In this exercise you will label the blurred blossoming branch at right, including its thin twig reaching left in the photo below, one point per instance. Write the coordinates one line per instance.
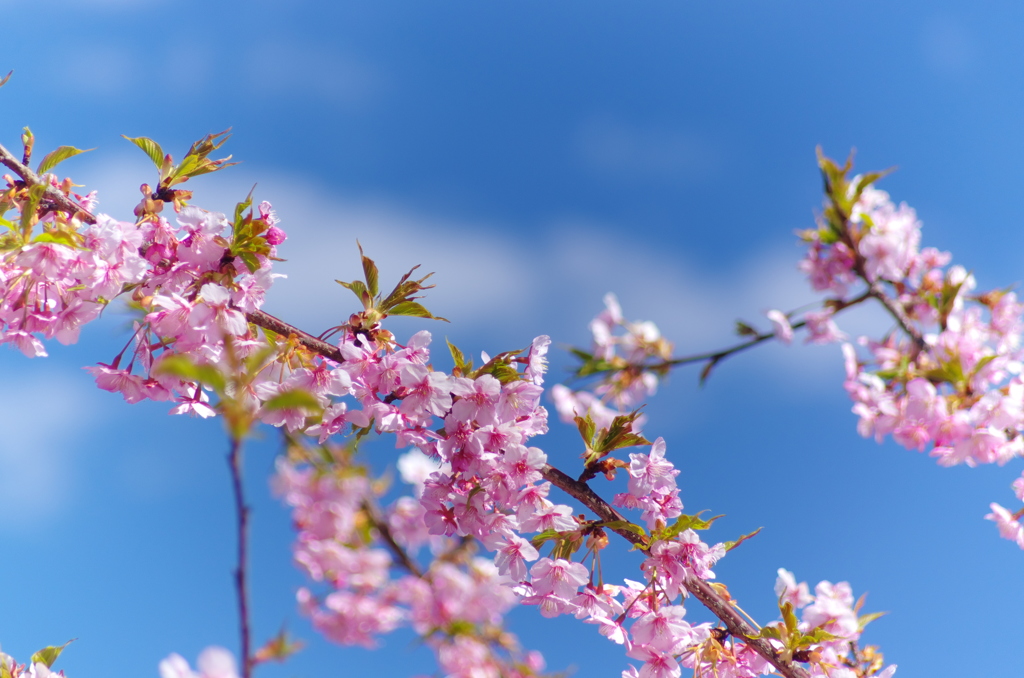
(948, 379)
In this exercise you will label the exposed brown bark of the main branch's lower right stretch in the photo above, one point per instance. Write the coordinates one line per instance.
(701, 590)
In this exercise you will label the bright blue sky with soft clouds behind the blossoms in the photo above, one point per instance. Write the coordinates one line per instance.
(536, 155)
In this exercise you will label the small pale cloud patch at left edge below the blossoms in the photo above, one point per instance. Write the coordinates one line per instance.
(42, 420)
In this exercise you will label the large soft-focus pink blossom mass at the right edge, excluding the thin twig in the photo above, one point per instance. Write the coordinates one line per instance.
(950, 379)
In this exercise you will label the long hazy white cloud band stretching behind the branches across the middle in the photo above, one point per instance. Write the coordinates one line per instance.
(496, 284)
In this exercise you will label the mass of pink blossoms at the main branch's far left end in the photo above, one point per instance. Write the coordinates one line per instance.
(192, 282)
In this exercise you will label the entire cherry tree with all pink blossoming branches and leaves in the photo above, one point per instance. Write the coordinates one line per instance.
(481, 528)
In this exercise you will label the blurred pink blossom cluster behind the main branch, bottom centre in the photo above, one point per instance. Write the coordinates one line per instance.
(457, 605)
